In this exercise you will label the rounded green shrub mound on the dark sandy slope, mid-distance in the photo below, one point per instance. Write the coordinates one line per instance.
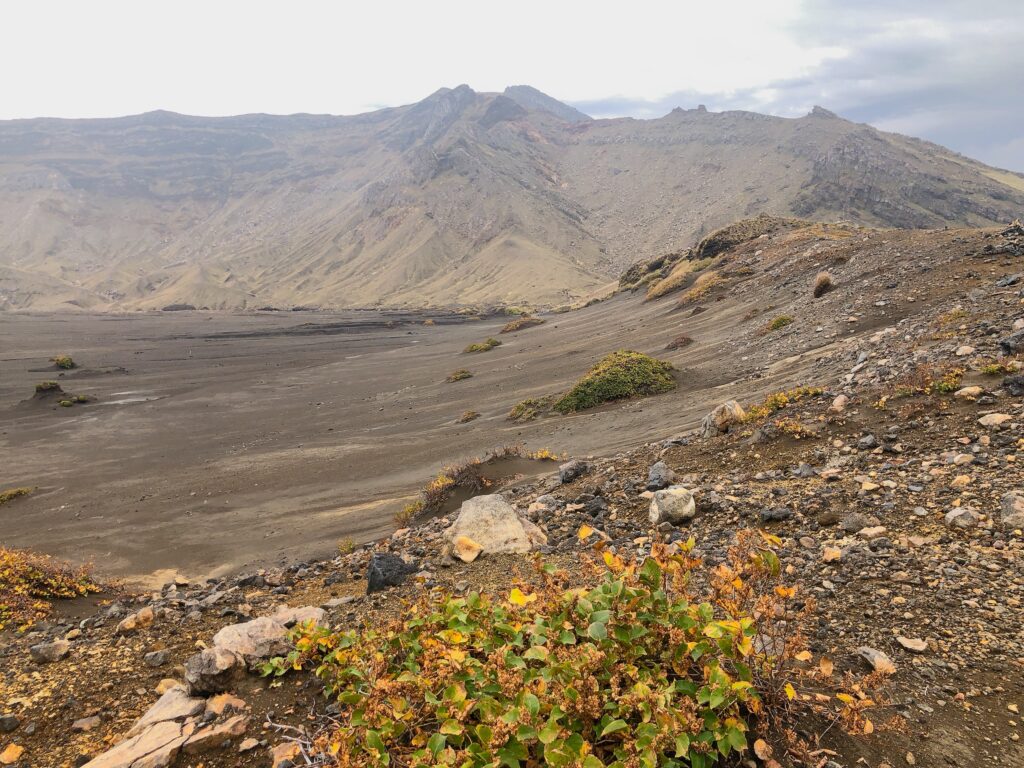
(618, 376)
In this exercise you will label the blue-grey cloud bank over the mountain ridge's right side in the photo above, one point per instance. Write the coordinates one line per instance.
(951, 72)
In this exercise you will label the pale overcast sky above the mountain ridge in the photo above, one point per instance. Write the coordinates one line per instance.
(951, 71)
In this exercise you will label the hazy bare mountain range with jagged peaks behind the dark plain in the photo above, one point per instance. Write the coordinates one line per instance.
(463, 198)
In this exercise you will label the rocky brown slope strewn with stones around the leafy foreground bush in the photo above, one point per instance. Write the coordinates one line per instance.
(891, 476)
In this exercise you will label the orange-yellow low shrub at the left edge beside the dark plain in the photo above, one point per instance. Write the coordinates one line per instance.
(30, 581)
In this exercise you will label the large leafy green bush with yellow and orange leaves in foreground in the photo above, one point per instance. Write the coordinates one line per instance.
(638, 667)
